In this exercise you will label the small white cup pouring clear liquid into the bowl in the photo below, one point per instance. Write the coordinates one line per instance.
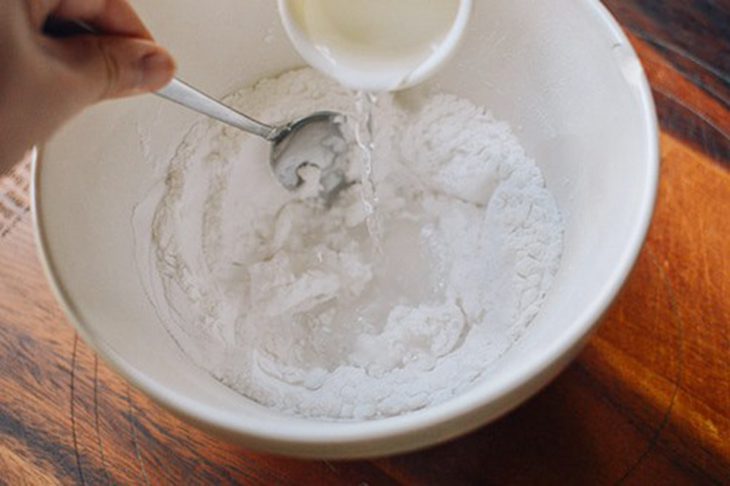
(375, 45)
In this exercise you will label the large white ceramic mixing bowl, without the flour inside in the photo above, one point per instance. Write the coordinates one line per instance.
(561, 72)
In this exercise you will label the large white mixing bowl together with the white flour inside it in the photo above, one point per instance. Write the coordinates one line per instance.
(169, 244)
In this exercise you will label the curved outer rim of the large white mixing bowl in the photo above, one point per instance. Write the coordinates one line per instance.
(412, 430)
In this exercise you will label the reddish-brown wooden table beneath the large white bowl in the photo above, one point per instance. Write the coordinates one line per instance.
(647, 402)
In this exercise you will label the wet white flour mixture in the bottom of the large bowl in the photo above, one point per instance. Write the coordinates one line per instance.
(289, 304)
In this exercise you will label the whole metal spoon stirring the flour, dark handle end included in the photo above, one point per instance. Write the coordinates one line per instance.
(315, 140)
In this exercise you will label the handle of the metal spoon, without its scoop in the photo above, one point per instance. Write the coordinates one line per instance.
(177, 91)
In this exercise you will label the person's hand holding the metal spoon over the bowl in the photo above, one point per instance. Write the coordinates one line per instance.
(46, 81)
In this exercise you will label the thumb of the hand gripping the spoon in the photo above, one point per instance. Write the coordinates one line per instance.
(103, 67)
